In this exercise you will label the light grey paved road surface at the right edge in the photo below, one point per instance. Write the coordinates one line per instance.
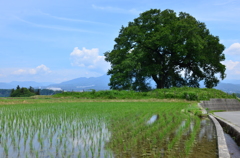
(232, 117)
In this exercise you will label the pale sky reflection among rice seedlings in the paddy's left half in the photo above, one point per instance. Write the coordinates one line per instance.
(69, 138)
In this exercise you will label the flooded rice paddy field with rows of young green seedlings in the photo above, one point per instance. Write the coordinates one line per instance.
(46, 129)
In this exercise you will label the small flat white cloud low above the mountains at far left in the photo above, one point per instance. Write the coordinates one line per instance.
(41, 69)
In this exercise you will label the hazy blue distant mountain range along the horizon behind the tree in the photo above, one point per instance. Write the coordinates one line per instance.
(101, 83)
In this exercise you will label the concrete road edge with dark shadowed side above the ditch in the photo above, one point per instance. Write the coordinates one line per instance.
(233, 130)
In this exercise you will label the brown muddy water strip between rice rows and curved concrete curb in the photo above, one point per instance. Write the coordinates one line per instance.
(206, 143)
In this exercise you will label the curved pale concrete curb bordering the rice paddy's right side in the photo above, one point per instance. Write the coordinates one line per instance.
(222, 145)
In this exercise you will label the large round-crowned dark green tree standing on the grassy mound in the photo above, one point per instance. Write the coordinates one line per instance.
(172, 50)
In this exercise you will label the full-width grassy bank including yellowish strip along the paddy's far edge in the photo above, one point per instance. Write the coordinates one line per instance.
(171, 94)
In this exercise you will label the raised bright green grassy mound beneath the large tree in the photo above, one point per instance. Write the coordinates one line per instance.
(188, 93)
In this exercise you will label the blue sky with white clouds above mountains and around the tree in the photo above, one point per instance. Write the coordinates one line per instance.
(58, 40)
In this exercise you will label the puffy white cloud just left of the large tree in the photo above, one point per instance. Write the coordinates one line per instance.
(89, 58)
